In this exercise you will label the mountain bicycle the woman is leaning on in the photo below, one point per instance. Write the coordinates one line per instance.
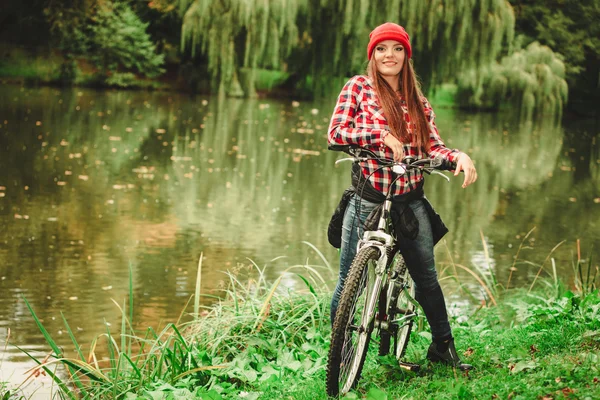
(378, 292)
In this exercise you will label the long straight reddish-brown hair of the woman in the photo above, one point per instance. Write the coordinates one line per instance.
(390, 101)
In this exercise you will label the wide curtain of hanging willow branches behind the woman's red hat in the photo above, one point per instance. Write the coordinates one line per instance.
(325, 39)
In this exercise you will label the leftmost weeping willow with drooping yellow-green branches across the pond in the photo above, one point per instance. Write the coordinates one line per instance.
(239, 36)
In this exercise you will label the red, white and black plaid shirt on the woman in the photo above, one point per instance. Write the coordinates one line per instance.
(358, 120)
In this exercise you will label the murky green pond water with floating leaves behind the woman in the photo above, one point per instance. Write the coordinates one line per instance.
(95, 183)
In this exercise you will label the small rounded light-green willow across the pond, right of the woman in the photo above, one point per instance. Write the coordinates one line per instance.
(531, 79)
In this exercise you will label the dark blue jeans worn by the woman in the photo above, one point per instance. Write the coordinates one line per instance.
(418, 254)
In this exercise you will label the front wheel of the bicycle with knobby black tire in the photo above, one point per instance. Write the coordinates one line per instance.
(343, 368)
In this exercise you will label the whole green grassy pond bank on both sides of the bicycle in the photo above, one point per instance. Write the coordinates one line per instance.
(265, 341)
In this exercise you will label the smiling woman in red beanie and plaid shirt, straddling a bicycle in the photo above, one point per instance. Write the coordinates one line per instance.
(386, 113)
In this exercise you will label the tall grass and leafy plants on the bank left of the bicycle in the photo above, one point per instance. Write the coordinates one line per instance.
(248, 341)
